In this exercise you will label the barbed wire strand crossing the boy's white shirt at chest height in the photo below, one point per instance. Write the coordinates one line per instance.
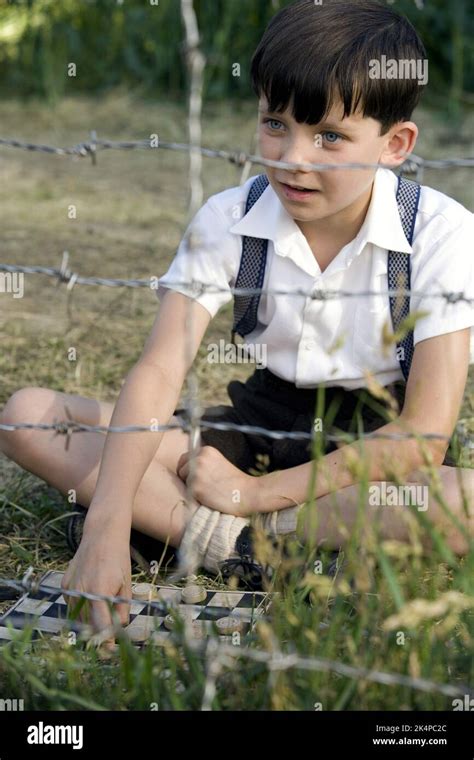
(199, 287)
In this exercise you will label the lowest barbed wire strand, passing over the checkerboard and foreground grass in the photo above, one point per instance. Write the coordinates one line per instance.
(275, 660)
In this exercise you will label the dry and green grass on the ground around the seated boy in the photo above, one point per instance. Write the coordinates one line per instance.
(377, 615)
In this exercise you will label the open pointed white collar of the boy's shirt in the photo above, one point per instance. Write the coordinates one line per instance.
(382, 226)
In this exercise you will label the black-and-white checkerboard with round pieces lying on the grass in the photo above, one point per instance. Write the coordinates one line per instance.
(48, 612)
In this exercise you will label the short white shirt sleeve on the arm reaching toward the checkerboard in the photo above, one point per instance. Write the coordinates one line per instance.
(204, 263)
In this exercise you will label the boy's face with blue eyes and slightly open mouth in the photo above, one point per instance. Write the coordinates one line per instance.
(340, 195)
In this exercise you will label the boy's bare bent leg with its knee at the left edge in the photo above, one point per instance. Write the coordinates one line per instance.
(158, 509)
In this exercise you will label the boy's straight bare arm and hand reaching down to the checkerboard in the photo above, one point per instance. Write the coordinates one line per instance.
(101, 564)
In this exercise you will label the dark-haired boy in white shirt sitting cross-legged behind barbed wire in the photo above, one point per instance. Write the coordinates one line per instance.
(317, 104)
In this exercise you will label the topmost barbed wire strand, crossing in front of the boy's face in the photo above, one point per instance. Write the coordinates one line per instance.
(413, 163)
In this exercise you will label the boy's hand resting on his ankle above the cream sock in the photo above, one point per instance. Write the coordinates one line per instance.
(218, 484)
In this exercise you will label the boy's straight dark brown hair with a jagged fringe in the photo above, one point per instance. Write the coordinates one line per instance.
(310, 54)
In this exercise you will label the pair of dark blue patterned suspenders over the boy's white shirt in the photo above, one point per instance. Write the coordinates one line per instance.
(254, 256)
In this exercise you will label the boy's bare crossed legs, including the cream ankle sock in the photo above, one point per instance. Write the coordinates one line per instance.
(160, 510)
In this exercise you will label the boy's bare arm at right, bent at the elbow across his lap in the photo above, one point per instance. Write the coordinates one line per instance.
(433, 398)
